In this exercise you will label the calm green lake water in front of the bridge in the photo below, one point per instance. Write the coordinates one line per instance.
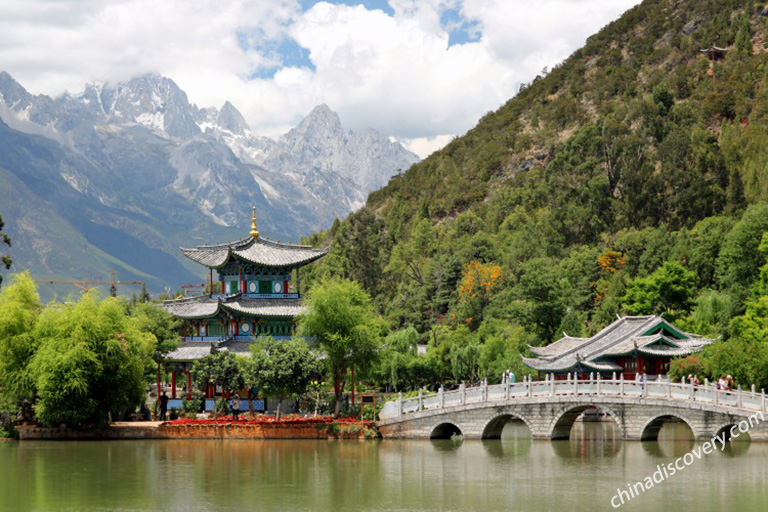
(513, 474)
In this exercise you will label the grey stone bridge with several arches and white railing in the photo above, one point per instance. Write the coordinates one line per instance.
(549, 409)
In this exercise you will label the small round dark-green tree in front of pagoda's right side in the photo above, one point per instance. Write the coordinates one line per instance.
(282, 368)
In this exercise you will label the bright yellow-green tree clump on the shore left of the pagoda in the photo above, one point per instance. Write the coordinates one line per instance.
(76, 362)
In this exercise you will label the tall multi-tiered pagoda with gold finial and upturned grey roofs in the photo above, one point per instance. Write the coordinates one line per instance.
(255, 293)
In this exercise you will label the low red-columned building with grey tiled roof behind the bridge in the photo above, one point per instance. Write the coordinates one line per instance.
(629, 346)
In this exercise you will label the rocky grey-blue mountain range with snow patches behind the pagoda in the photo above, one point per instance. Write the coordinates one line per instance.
(136, 162)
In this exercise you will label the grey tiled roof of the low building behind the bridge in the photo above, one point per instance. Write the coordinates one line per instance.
(651, 335)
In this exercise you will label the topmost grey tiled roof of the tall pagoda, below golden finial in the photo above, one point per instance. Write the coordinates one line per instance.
(258, 250)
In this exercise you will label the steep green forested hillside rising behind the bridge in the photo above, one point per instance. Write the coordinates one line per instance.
(632, 178)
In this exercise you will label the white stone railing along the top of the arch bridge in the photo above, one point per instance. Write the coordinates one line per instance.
(572, 386)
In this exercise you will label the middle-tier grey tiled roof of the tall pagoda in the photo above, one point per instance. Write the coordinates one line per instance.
(206, 307)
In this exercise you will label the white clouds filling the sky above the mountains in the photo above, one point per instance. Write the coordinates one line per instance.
(393, 73)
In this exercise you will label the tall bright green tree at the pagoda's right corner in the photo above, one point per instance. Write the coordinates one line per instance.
(340, 319)
